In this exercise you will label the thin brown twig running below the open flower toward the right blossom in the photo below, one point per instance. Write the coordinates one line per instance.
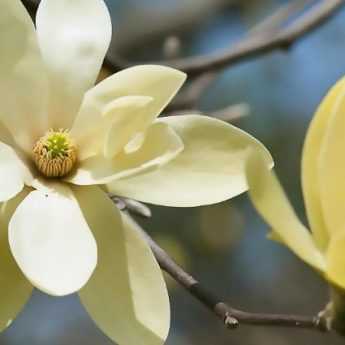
(231, 317)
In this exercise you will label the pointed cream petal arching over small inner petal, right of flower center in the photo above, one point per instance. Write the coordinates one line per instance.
(158, 82)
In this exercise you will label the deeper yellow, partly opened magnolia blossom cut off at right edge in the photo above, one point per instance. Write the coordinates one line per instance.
(323, 171)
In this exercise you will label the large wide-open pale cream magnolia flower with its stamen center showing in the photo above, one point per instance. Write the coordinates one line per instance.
(64, 142)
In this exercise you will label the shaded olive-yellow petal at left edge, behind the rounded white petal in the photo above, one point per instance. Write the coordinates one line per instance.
(14, 287)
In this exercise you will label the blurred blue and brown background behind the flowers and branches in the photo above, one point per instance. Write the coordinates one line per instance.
(224, 245)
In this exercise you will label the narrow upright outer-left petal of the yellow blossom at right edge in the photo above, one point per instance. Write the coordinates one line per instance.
(310, 164)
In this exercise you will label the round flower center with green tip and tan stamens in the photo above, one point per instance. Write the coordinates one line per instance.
(54, 153)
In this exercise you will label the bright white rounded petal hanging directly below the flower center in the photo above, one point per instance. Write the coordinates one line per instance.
(51, 241)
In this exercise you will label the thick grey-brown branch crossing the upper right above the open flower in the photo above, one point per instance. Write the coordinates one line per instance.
(252, 46)
